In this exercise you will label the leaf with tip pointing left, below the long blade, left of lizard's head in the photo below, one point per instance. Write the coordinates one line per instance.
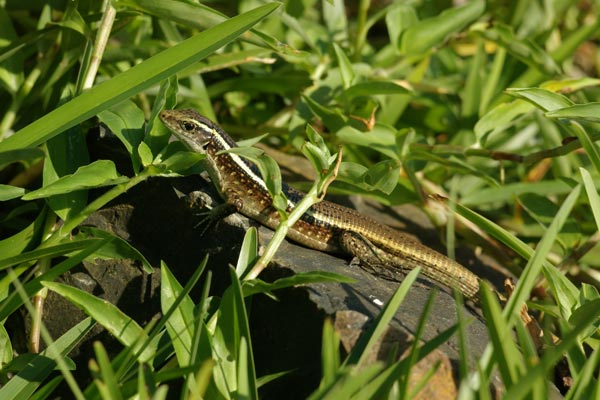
(97, 174)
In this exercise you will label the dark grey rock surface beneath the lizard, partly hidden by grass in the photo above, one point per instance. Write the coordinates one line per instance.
(286, 333)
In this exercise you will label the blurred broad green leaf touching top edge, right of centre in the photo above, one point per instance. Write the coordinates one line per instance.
(424, 35)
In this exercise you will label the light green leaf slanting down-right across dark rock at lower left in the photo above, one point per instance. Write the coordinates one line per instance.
(121, 326)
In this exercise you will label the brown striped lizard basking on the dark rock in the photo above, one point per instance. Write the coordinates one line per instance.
(326, 226)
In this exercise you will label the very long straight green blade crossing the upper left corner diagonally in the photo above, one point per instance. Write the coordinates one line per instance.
(136, 79)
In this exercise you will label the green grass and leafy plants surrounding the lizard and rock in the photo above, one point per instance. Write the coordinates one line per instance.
(494, 107)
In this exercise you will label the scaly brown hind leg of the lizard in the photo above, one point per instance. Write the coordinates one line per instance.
(370, 257)
